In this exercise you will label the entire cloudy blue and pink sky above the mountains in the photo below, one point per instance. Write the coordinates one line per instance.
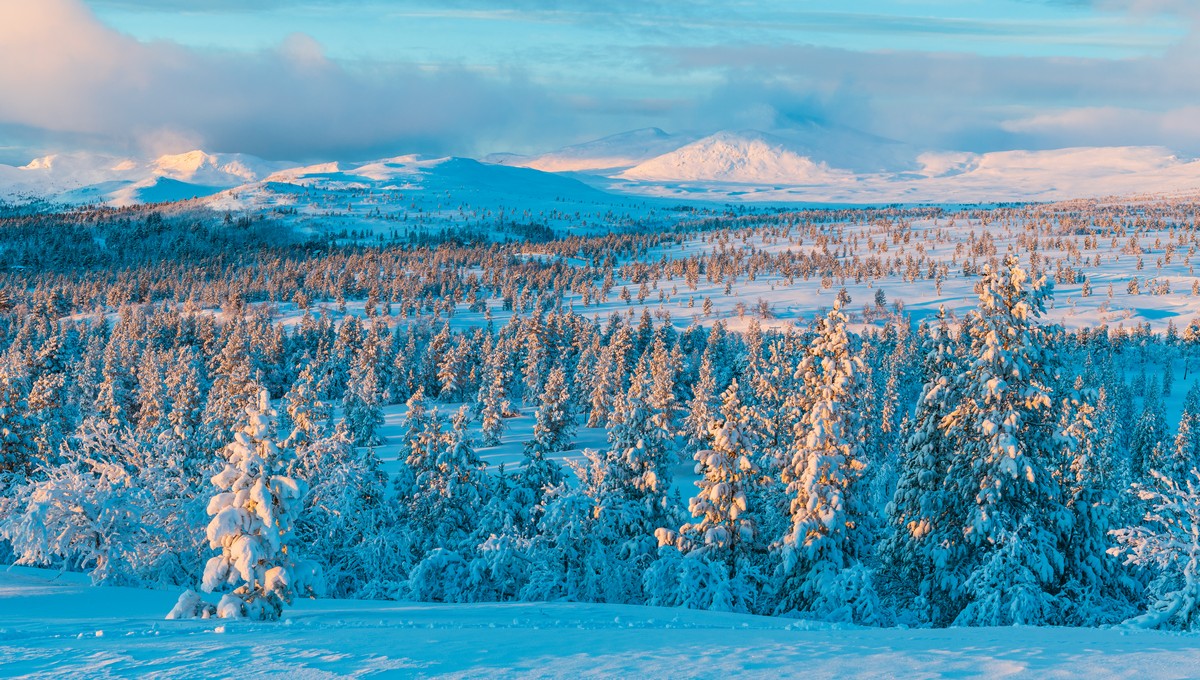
(340, 80)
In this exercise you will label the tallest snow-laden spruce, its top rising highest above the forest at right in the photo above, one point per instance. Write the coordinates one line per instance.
(1005, 431)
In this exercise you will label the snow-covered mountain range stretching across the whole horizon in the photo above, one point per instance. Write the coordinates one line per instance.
(809, 164)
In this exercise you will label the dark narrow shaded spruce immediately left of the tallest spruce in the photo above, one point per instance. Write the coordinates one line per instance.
(925, 549)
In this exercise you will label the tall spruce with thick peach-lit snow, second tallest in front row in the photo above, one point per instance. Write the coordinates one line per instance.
(823, 568)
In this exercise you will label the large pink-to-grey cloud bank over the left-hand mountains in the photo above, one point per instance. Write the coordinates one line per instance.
(65, 73)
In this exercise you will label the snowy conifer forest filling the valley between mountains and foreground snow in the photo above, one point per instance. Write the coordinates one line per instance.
(929, 437)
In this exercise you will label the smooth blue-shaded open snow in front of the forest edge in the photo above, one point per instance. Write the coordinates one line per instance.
(59, 627)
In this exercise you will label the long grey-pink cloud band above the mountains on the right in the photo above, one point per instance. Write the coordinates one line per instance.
(957, 101)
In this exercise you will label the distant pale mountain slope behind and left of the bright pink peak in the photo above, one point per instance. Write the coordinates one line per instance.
(610, 154)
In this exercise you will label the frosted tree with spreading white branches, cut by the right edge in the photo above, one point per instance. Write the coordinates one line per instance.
(1168, 543)
